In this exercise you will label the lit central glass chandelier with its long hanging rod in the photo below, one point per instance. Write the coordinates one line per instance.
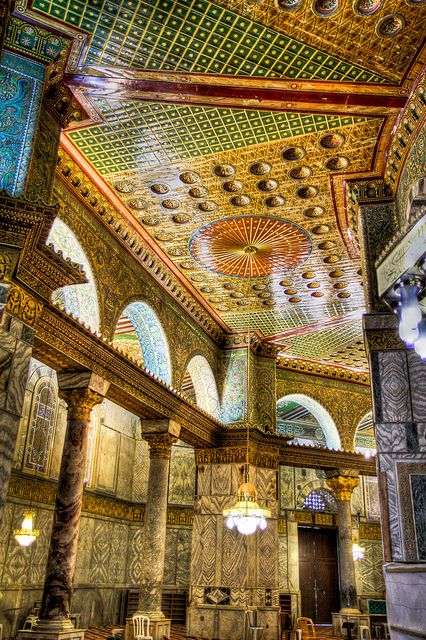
(246, 515)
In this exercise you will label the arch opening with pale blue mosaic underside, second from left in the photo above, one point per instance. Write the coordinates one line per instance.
(141, 334)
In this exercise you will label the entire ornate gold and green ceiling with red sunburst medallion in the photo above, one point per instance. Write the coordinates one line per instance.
(228, 176)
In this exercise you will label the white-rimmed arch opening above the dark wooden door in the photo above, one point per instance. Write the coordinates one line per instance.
(307, 420)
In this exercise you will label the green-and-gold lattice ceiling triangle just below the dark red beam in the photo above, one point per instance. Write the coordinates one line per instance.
(144, 134)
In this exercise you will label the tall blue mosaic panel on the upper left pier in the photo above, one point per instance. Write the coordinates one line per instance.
(21, 84)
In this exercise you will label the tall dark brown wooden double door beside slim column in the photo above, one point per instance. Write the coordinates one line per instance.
(318, 573)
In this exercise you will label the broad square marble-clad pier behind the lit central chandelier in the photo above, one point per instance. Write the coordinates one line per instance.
(231, 572)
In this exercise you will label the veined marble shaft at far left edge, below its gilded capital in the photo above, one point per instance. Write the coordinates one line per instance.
(15, 356)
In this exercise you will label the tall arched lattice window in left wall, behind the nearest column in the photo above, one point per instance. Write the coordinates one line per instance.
(41, 425)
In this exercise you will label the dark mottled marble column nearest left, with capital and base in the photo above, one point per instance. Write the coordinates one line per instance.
(82, 391)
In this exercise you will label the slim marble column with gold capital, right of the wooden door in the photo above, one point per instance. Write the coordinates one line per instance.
(343, 483)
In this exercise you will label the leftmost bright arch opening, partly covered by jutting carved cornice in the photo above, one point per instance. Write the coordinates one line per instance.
(81, 299)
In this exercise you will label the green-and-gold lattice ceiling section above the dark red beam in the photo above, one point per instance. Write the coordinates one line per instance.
(194, 36)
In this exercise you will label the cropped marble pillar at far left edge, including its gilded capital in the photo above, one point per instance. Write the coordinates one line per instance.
(16, 338)
